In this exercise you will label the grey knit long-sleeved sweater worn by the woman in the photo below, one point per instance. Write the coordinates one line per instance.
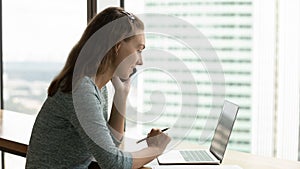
(70, 130)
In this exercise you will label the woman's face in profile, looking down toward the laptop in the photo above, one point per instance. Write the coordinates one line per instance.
(129, 55)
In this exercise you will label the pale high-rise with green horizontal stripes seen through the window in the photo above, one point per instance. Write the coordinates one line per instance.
(228, 27)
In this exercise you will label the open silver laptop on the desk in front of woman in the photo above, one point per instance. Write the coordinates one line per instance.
(218, 145)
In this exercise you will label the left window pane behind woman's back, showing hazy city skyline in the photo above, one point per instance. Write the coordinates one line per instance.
(37, 37)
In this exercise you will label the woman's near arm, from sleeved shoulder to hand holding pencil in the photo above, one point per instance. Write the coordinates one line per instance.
(91, 125)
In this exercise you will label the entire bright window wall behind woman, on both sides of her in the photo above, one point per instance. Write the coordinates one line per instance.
(257, 44)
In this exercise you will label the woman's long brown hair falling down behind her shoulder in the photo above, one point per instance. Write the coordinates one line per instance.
(63, 80)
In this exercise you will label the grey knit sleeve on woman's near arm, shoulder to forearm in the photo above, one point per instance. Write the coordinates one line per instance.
(92, 127)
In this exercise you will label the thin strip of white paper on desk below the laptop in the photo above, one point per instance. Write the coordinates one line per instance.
(197, 167)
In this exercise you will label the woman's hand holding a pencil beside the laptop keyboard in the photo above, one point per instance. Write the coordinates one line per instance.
(156, 138)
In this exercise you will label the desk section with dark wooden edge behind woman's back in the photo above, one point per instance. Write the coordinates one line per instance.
(15, 131)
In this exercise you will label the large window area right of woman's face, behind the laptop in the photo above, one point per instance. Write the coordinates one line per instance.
(257, 43)
